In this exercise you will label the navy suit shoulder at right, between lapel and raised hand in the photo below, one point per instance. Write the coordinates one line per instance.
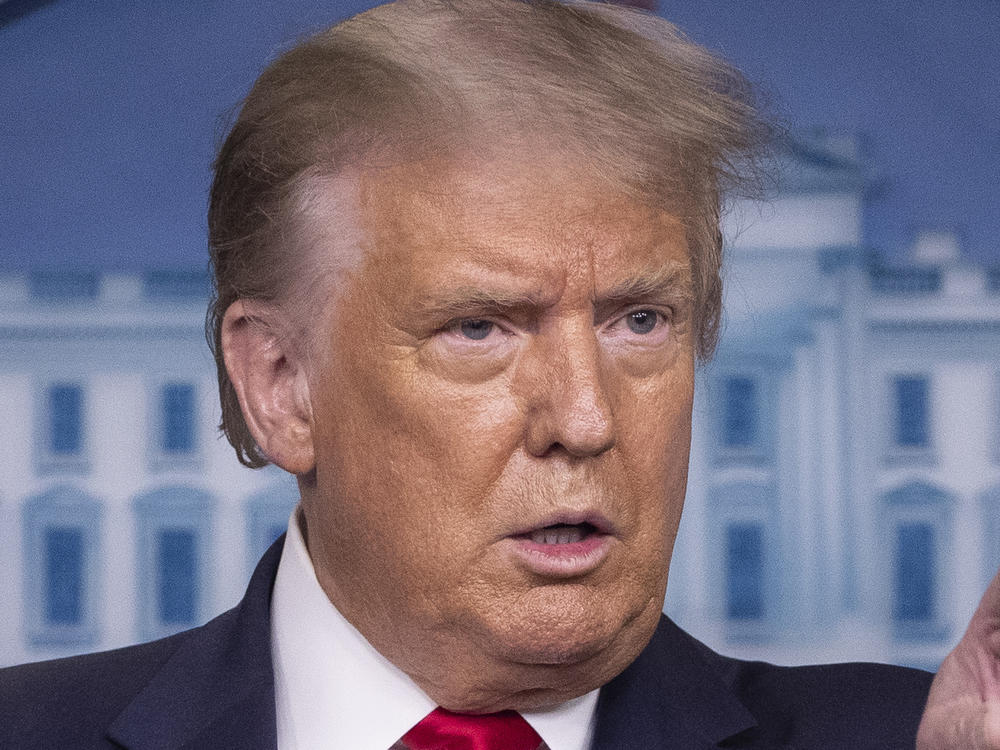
(860, 705)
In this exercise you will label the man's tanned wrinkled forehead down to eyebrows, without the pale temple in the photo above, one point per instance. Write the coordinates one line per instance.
(443, 234)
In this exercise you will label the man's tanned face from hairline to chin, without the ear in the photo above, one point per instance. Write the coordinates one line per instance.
(501, 394)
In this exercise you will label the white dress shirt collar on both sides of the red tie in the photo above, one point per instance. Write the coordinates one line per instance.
(333, 690)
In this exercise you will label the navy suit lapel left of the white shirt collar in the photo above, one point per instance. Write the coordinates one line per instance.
(217, 689)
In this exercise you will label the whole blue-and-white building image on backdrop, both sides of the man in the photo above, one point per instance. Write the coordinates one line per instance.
(844, 490)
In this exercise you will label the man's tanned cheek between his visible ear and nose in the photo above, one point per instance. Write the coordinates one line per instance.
(415, 446)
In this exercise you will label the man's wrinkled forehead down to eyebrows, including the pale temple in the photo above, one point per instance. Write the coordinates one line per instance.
(396, 241)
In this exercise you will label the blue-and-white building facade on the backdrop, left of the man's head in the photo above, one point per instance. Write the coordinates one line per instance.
(123, 515)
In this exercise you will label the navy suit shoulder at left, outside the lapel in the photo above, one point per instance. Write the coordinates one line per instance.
(70, 702)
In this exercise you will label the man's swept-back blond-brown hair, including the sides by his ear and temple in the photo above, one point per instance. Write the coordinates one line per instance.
(616, 90)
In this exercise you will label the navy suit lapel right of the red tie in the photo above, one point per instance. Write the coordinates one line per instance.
(670, 697)
